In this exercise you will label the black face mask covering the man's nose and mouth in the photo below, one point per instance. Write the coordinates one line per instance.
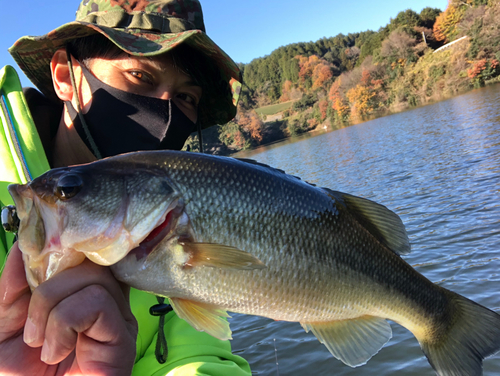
(121, 122)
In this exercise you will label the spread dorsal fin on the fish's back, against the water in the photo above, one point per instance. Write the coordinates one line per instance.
(383, 224)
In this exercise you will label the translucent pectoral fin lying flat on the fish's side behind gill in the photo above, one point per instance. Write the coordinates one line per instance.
(219, 256)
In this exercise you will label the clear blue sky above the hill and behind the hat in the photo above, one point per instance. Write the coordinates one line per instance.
(245, 30)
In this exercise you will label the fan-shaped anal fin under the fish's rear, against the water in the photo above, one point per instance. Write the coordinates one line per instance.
(353, 341)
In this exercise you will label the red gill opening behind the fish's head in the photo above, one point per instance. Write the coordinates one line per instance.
(166, 229)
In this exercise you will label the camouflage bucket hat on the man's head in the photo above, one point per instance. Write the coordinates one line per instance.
(139, 28)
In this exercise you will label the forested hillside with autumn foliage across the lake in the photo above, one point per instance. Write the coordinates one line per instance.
(336, 81)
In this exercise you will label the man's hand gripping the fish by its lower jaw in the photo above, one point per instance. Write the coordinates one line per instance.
(78, 322)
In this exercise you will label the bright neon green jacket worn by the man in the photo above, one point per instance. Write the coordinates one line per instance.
(22, 157)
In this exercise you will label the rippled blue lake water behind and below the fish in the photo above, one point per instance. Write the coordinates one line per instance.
(438, 167)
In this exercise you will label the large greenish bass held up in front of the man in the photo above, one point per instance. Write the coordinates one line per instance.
(217, 234)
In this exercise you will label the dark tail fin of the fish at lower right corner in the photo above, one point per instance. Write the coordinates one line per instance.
(473, 334)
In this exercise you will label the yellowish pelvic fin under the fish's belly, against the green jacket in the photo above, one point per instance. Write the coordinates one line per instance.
(203, 317)
